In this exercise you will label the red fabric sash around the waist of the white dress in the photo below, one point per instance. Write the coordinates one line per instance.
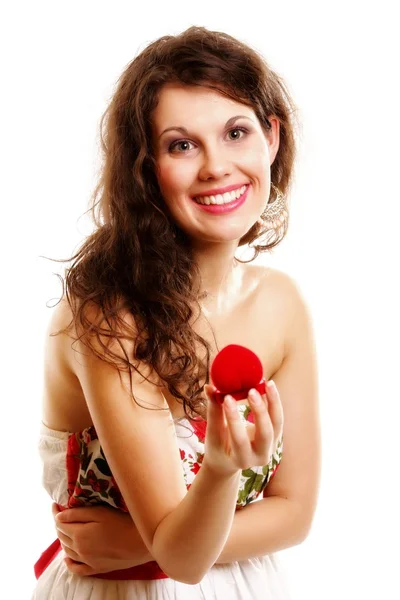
(149, 570)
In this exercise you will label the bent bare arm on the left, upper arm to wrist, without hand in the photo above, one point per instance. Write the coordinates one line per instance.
(140, 446)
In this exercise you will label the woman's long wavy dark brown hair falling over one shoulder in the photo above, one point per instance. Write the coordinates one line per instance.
(122, 265)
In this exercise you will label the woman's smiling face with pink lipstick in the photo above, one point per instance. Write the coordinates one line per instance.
(213, 162)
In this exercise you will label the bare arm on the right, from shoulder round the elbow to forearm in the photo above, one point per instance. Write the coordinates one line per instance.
(283, 518)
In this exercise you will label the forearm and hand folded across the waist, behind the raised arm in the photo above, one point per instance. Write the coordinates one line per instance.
(97, 540)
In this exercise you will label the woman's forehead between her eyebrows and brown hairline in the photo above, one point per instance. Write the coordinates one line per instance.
(188, 106)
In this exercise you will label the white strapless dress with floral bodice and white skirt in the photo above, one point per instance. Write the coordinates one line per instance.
(253, 579)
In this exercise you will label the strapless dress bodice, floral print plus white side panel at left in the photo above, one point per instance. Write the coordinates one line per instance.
(76, 471)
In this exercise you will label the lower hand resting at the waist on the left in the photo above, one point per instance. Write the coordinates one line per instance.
(99, 539)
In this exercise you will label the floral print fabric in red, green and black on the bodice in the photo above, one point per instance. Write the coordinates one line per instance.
(90, 480)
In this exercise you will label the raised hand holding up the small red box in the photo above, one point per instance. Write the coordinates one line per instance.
(232, 445)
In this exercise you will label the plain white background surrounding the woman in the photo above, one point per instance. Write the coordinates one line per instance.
(340, 59)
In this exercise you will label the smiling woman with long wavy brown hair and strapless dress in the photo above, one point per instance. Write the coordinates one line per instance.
(198, 158)
